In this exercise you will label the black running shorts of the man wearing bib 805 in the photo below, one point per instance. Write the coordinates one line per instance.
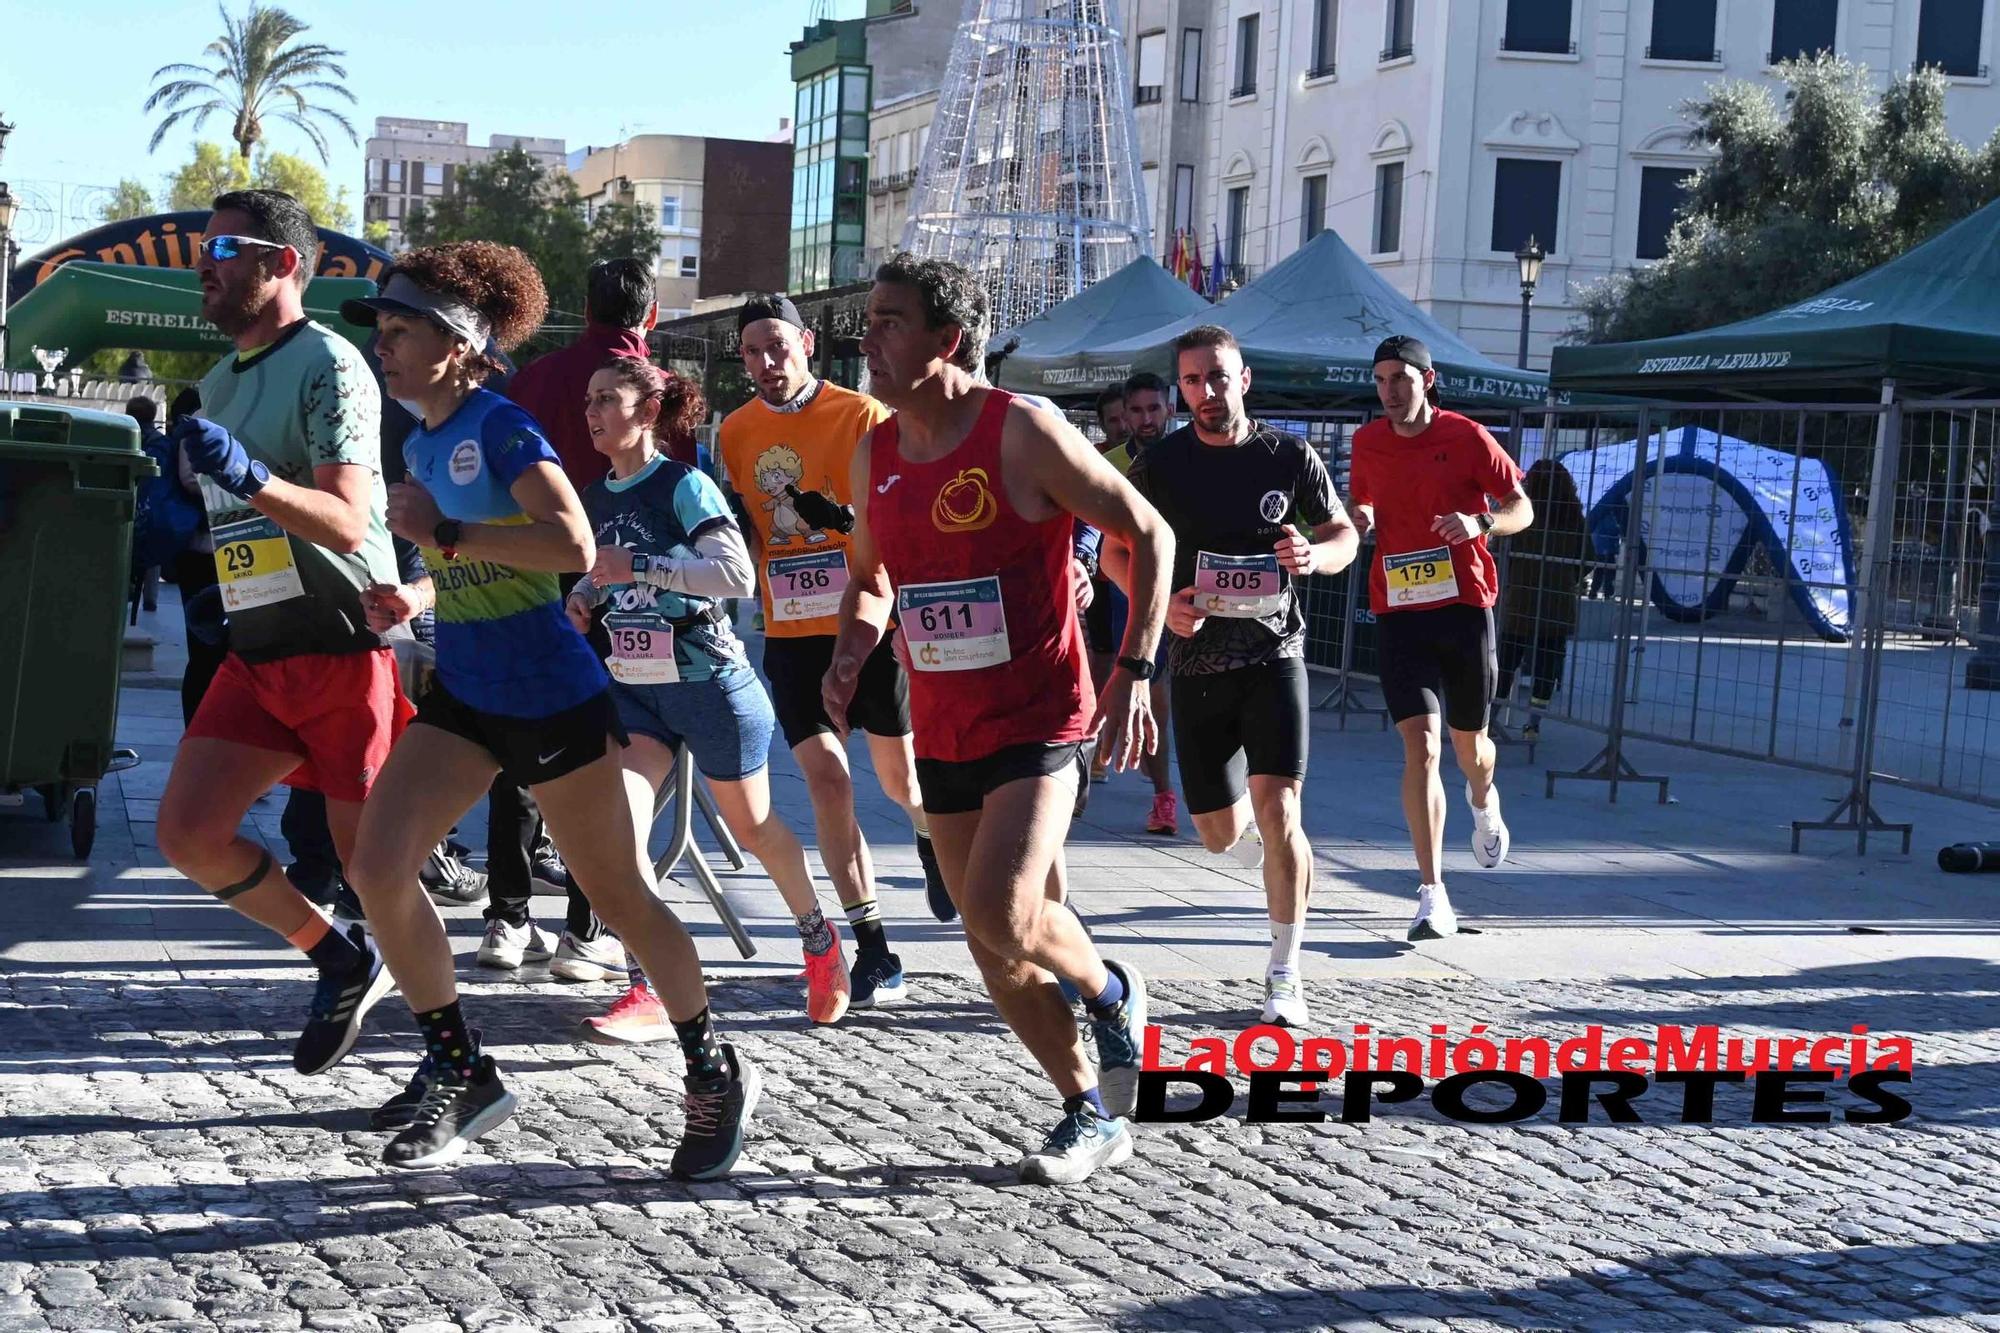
(1237, 724)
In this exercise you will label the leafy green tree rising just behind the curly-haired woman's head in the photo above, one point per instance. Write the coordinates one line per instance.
(519, 203)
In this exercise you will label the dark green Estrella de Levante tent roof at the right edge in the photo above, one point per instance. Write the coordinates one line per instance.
(1927, 321)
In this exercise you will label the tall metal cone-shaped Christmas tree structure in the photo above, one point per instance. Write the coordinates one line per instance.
(1031, 177)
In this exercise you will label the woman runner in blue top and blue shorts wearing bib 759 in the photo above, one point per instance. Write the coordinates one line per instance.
(669, 551)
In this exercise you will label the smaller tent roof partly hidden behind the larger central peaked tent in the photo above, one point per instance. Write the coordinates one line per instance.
(1055, 347)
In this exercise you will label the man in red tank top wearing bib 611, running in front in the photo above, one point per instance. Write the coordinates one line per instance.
(965, 505)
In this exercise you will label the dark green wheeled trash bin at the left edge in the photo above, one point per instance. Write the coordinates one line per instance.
(69, 485)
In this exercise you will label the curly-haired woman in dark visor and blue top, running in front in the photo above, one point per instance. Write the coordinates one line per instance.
(517, 690)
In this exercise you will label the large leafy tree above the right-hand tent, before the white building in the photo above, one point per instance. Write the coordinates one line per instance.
(1799, 197)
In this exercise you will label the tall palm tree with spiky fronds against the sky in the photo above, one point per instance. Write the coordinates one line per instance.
(259, 71)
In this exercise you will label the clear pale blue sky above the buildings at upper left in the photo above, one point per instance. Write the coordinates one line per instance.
(567, 69)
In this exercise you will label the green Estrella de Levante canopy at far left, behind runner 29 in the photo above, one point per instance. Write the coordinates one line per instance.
(85, 307)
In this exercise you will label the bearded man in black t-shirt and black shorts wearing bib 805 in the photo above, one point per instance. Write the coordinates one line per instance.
(1235, 493)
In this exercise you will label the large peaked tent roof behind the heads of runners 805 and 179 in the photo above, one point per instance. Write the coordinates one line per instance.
(1309, 331)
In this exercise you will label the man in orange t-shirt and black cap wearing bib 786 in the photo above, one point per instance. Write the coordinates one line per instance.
(789, 455)
